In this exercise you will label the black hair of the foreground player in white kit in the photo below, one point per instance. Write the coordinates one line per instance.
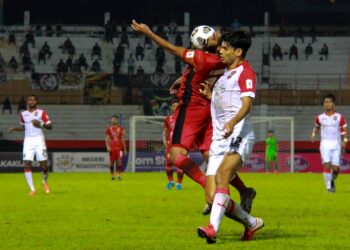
(237, 39)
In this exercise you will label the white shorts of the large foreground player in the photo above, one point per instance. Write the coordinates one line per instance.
(218, 149)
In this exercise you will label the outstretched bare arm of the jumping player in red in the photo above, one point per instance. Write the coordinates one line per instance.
(144, 29)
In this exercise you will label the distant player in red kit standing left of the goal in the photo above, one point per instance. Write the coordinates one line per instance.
(115, 144)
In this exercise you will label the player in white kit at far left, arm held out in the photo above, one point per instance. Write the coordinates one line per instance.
(33, 120)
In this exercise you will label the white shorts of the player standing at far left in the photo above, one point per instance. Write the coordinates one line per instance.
(34, 146)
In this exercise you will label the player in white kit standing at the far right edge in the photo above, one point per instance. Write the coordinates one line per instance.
(333, 127)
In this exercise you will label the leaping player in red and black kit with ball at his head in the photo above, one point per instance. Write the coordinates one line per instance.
(193, 120)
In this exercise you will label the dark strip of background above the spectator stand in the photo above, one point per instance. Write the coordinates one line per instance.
(219, 12)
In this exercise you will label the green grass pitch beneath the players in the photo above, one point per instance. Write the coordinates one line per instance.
(89, 211)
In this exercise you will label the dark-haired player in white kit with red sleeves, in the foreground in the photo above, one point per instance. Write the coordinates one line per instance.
(233, 135)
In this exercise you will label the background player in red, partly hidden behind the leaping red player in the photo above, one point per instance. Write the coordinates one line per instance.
(169, 123)
